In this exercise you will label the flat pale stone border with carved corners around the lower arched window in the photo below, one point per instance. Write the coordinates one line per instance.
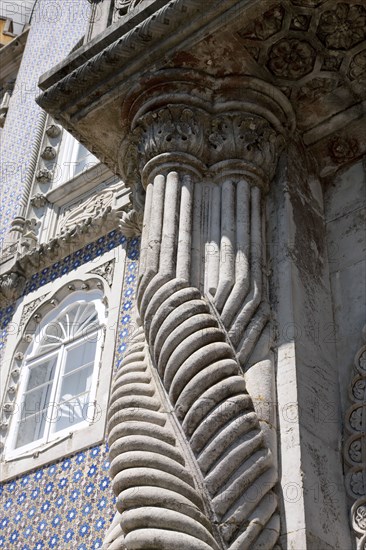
(101, 275)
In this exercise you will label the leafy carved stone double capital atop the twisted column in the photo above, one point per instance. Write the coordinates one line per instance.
(205, 127)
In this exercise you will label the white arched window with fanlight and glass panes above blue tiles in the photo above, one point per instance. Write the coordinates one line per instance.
(60, 372)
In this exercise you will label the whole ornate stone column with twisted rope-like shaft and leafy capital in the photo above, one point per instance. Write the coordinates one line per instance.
(193, 454)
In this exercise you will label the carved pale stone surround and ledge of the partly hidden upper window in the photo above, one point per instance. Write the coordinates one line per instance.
(43, 240)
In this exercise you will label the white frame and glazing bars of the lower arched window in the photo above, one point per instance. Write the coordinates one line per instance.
(60, 352)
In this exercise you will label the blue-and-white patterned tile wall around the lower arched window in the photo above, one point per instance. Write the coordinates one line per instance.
(68, 504)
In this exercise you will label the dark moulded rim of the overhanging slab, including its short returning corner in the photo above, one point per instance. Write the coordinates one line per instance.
(106, 71)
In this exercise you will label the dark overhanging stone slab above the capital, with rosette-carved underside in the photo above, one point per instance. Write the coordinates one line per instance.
(283, 43)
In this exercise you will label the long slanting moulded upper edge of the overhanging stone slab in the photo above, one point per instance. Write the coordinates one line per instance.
(147, 36)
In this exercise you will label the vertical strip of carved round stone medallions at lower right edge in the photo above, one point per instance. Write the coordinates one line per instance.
(355, 445)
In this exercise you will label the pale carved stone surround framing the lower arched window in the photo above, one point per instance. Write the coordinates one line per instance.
(18, 463)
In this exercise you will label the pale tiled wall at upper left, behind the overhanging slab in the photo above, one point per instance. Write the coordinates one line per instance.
(56, 27)
